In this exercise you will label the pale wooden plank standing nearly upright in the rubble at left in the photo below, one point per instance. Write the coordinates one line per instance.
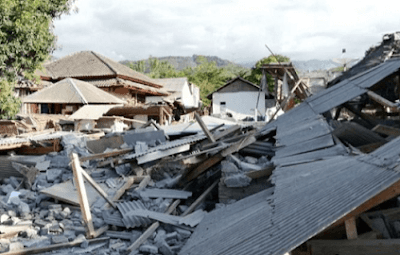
(83, 201)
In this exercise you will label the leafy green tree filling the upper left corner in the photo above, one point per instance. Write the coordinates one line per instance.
(26, 40)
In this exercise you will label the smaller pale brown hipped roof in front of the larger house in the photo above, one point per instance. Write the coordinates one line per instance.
(72, 91)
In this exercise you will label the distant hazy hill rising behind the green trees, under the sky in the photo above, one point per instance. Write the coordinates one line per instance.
(182, 62)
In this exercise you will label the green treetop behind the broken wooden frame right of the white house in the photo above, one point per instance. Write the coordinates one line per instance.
(256, 72)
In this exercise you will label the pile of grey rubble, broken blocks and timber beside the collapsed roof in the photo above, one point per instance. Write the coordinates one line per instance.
(136, 192)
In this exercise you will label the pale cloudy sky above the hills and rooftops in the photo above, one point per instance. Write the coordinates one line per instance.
(234, 30)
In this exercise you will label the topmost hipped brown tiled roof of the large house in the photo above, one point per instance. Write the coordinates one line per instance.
(86, 64)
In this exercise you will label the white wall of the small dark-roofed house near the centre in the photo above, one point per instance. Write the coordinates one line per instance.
(239, 104)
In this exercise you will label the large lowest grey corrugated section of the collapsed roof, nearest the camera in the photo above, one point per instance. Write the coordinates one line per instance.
(302, 206)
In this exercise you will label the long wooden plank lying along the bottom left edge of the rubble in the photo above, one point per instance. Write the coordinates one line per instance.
(53, 247)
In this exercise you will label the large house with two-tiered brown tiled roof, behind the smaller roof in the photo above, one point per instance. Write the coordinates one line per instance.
(104, 73)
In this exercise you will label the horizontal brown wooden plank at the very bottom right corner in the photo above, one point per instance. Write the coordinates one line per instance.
(354, 247)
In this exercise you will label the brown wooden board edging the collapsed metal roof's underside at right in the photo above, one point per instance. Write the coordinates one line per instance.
(389, 193)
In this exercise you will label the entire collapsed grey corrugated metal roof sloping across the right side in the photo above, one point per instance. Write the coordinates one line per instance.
(308, 197)
